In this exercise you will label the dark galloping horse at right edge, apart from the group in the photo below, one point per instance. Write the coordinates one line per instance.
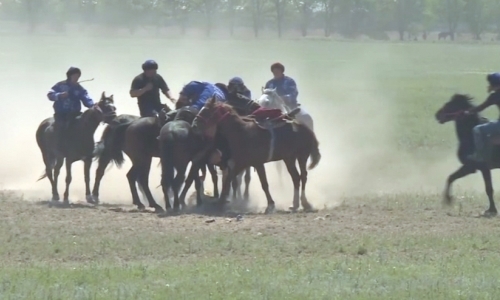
(453, 110)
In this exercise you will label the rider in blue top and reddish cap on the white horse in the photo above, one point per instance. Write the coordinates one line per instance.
(284, 85)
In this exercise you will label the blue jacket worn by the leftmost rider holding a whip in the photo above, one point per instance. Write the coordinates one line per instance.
(70, 104)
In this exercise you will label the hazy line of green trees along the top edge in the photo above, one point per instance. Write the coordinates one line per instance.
(347, 17)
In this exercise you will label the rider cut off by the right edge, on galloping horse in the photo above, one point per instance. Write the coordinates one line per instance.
(483, 131)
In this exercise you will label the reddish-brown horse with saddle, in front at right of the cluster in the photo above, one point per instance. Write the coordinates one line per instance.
(254, 144)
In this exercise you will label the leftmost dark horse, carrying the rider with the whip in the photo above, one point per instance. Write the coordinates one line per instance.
(80, 145)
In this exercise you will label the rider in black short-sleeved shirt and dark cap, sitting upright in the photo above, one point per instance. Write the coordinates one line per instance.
(146, 86)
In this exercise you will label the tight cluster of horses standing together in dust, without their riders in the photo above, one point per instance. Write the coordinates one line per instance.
(235, 135)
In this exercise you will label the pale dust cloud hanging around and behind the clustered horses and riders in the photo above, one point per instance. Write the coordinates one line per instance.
(354, 117)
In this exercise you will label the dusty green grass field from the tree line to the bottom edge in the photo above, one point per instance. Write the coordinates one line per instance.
(381, 232)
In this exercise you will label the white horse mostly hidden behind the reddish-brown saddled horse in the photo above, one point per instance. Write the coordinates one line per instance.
(271, 99)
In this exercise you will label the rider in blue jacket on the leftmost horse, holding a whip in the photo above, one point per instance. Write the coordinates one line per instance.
(67, 95)
